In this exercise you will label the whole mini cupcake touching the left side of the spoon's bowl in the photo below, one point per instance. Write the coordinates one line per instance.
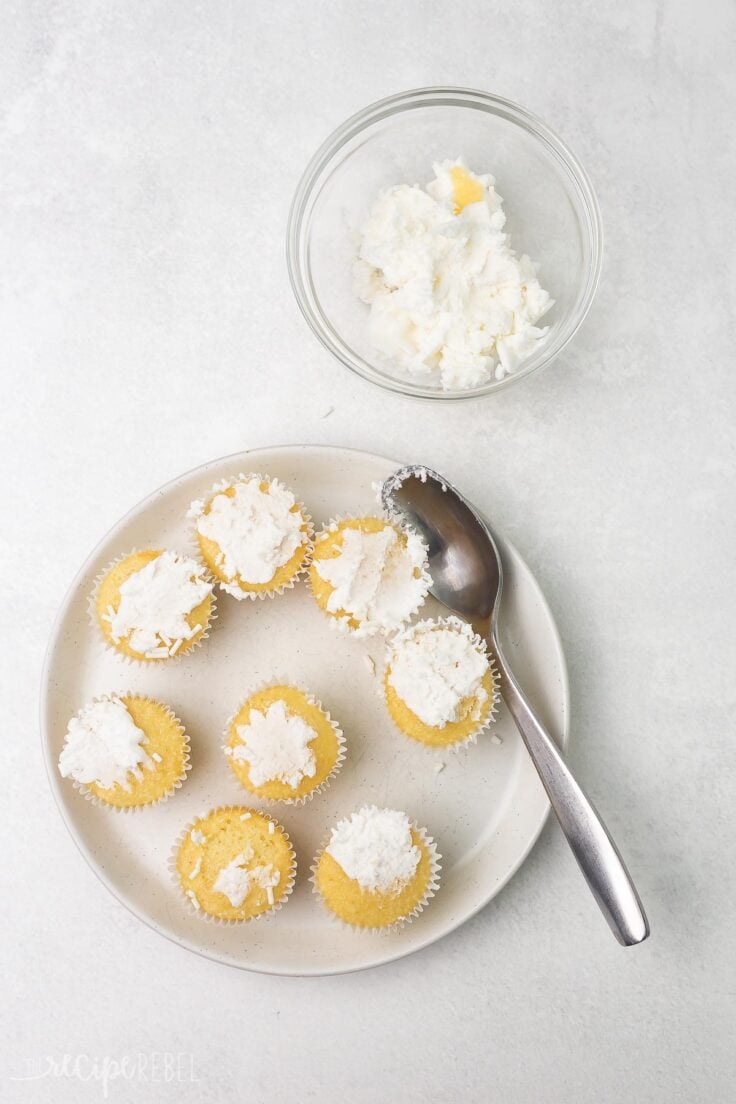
(369, 575)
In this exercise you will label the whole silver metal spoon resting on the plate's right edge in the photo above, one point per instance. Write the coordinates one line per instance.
(468, 578)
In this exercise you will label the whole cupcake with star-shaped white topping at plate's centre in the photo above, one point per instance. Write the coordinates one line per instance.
(283, 747)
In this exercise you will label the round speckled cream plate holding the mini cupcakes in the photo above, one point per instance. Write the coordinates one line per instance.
(486, 806)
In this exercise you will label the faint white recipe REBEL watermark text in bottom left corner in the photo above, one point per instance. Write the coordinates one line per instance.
(156, 1068)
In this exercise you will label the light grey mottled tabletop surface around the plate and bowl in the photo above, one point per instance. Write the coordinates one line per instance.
(148, 155)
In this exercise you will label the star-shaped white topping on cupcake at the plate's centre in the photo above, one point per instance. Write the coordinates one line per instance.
(276, 747)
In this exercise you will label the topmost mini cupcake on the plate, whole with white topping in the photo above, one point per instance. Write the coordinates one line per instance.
(253, 535)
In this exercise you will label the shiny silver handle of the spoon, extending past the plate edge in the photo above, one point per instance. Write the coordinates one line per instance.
(596, 853)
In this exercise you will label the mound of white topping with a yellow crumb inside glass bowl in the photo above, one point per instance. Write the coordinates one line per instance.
(451, 301)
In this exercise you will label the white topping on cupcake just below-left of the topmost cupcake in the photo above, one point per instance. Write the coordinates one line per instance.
(155, 603)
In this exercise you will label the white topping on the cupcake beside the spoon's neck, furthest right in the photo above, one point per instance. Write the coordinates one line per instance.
(435, 666)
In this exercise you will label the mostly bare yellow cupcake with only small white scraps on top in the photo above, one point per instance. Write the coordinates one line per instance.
(234, 864)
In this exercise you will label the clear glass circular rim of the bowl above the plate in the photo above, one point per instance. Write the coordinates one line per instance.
(411, 100)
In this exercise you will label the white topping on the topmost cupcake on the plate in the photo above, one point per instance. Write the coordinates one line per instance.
(257, 526)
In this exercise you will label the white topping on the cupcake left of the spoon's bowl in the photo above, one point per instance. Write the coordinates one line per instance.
(378, 579)
